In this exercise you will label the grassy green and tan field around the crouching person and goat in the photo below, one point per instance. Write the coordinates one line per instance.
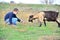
(28, 31)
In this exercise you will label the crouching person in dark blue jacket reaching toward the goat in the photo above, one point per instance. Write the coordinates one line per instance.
(11, 18)
